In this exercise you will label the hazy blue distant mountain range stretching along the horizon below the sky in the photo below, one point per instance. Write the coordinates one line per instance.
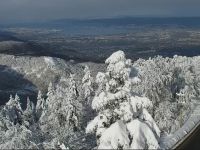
(120, 21)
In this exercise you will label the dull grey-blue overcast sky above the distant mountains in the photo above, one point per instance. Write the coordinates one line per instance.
(42, 10)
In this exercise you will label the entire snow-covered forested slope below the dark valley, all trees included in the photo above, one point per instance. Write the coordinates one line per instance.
(116, 105)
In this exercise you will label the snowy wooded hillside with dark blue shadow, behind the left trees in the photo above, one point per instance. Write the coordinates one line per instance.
(27, 75)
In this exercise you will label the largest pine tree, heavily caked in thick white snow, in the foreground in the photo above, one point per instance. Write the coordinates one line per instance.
(123, 120)
